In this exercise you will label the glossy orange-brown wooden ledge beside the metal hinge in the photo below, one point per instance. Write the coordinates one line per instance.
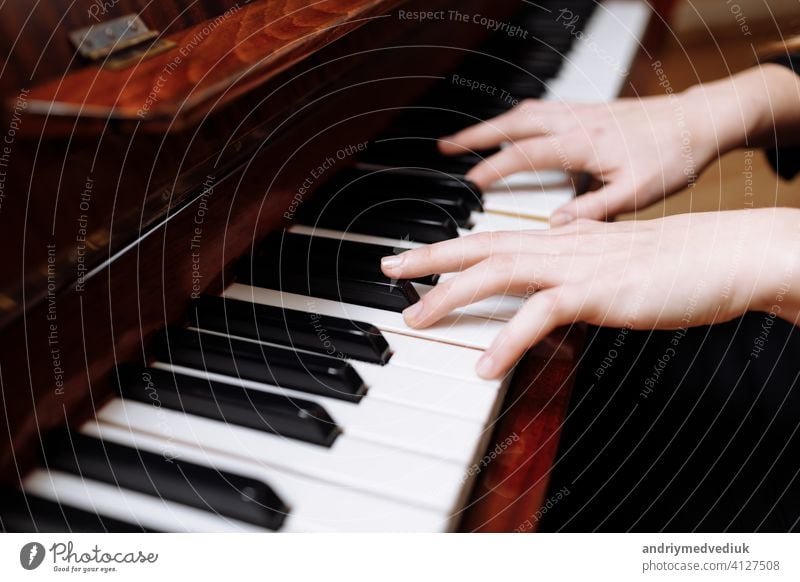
(212, 63)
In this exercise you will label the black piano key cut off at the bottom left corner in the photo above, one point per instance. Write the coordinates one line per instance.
(24, 513)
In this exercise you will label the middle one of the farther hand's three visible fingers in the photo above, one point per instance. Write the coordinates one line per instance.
(531, 154)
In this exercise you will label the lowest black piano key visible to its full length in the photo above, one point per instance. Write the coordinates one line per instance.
(219, 492)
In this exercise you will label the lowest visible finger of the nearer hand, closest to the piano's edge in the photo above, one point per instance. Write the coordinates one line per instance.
(540, 315)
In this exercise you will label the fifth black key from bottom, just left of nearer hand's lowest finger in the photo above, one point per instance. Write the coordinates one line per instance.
(297, 329)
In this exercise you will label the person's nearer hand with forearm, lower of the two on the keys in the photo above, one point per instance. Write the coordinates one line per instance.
(670, 273)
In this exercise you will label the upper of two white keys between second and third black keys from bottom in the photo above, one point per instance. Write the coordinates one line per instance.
(362, 465)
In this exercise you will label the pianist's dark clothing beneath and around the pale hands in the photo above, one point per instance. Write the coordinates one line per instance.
(694, 430)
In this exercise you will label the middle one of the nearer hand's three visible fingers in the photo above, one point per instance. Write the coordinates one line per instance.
(499, 274)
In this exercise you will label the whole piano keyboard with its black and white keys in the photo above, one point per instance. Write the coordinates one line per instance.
(298, 400)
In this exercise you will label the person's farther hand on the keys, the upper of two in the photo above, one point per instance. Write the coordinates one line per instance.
(640, 149)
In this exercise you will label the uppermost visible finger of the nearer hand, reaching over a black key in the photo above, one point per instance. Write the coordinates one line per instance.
(453, 255)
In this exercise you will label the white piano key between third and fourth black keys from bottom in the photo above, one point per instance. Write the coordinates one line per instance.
(411, 429)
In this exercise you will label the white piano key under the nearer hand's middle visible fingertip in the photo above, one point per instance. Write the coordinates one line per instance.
(456, 328)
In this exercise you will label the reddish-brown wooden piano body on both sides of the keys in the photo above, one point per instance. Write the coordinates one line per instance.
(107, 170)
